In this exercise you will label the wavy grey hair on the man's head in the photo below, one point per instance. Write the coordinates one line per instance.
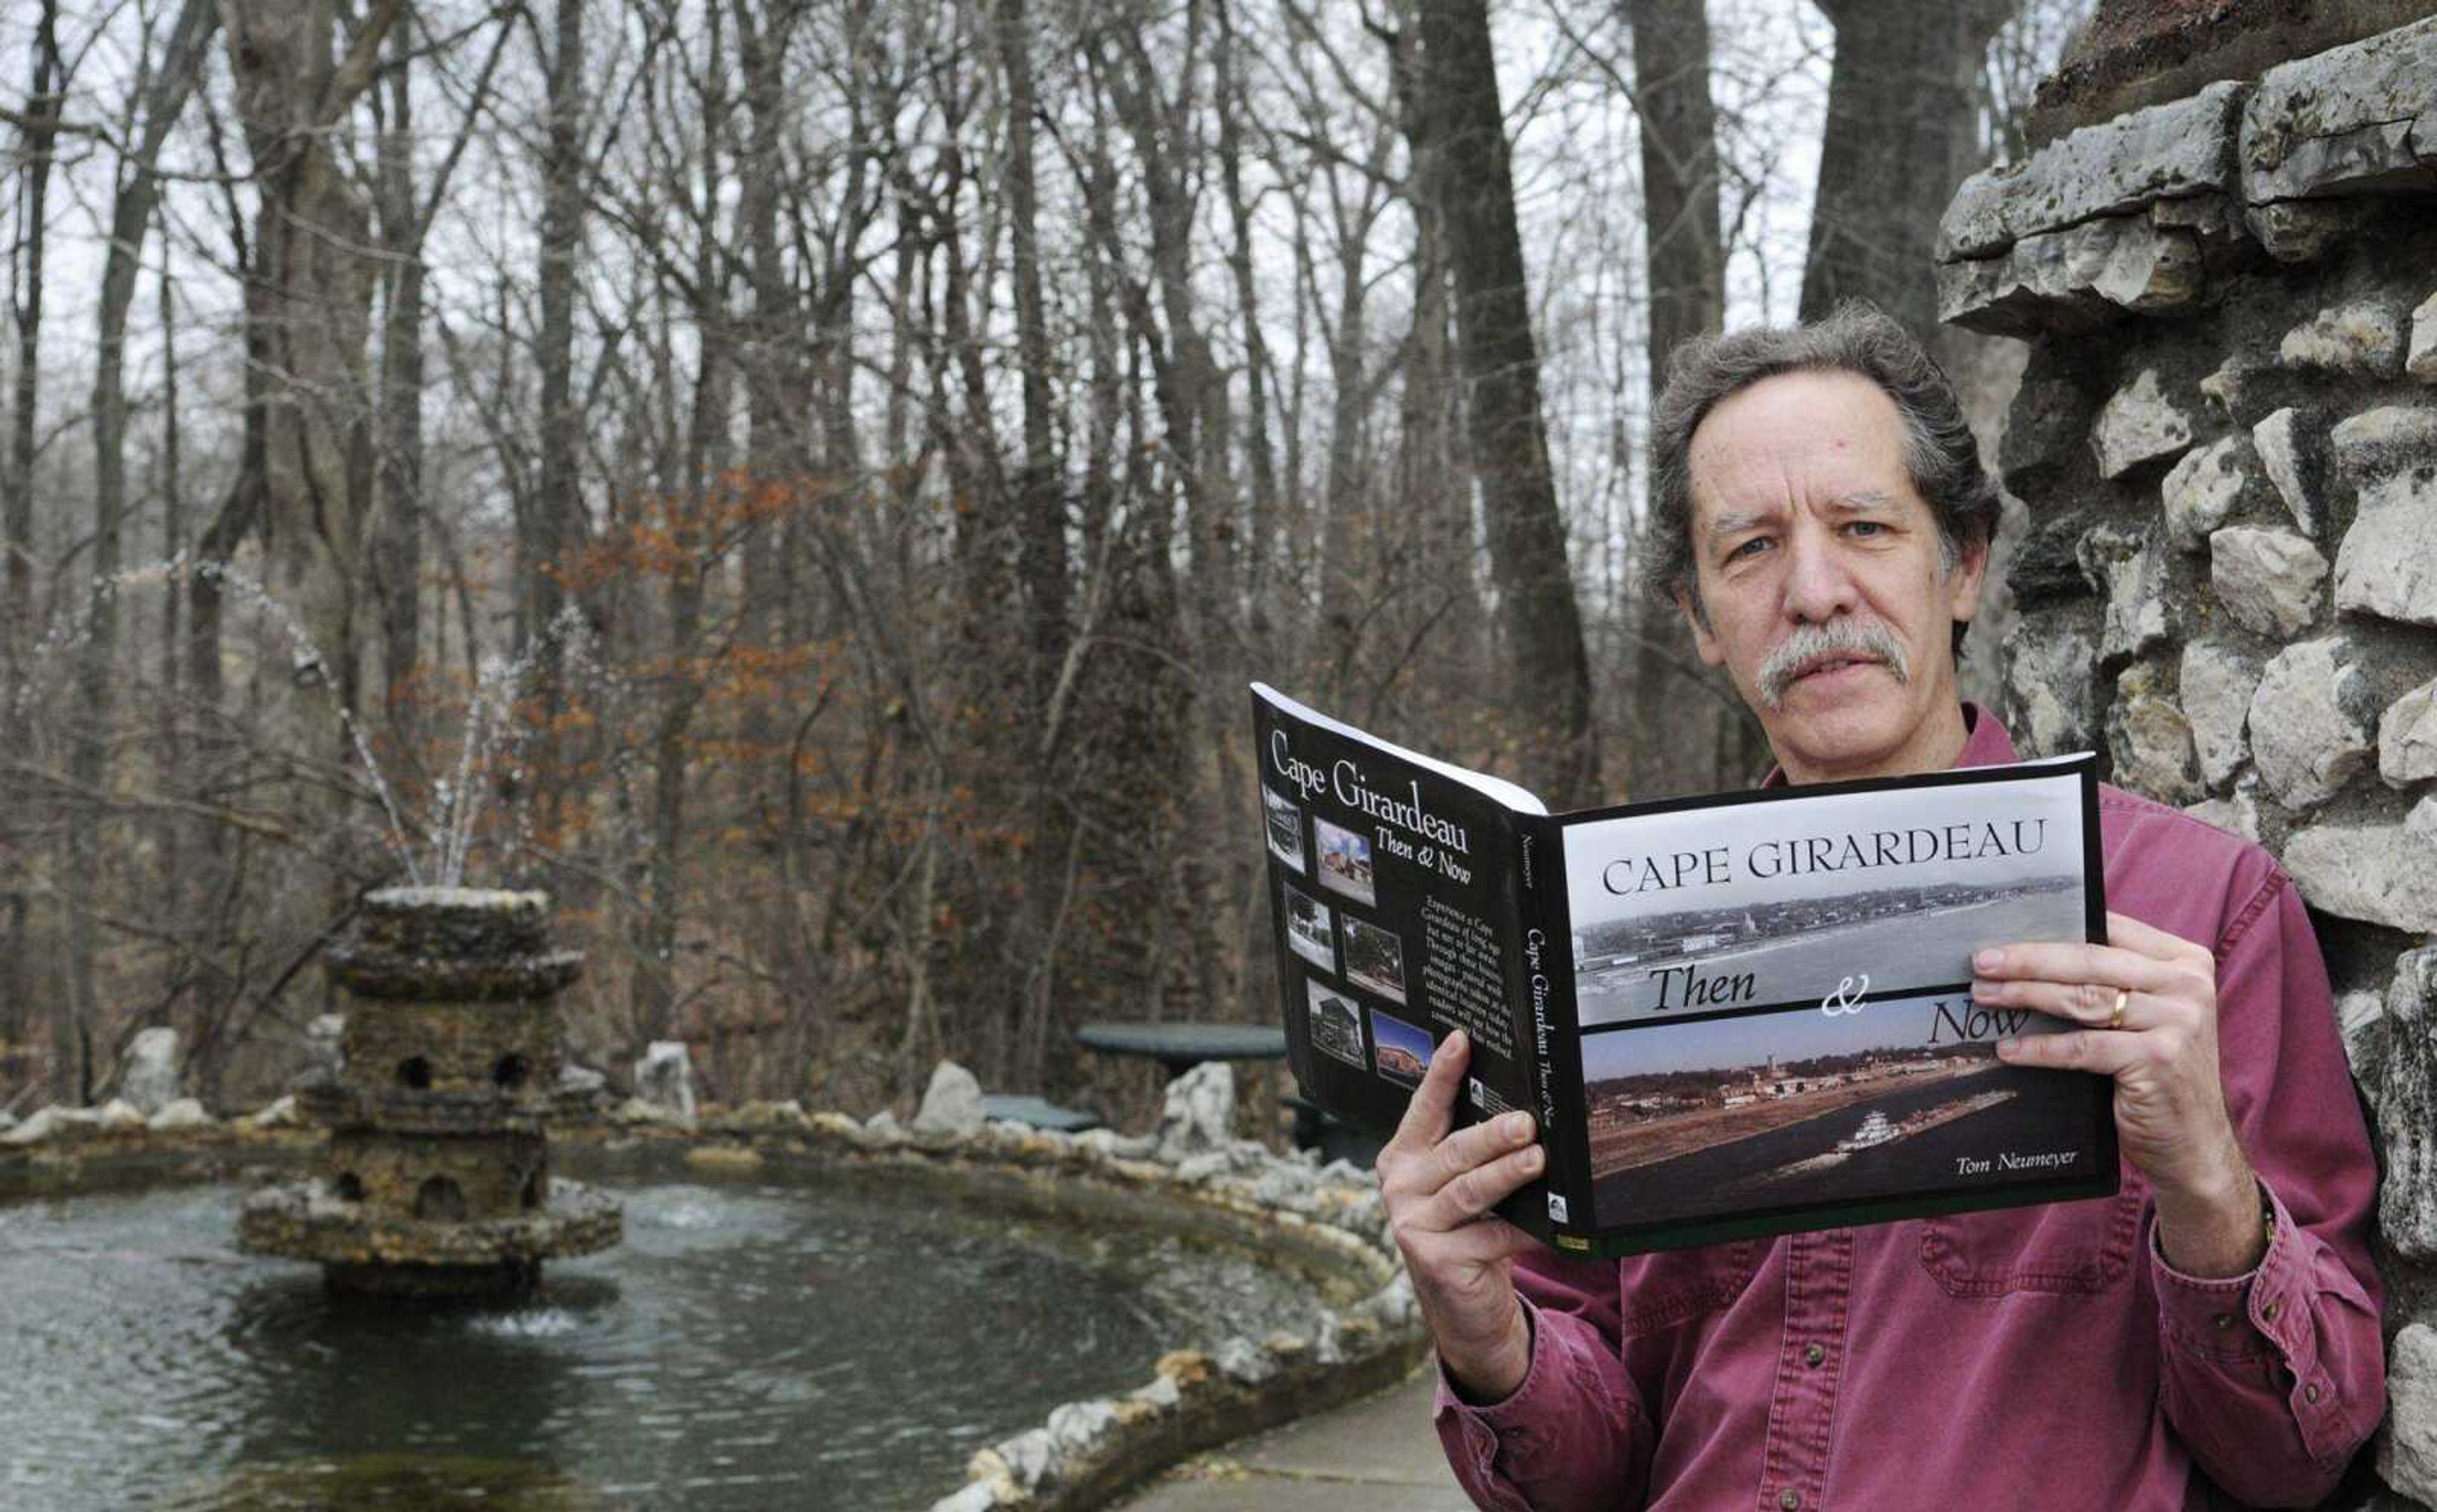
(1858, 337)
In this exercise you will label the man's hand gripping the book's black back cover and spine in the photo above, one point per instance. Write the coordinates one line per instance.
(1439, 1192)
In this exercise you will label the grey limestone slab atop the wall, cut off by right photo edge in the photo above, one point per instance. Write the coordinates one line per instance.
(2341, 123)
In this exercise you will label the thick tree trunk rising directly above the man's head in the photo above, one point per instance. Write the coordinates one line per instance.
(1900, 138)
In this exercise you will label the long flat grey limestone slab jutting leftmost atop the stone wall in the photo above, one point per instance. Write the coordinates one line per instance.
(2109, 169)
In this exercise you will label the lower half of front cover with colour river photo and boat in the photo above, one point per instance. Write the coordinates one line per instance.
(1819, 1104)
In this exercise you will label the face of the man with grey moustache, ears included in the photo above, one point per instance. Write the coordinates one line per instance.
(1822, 576)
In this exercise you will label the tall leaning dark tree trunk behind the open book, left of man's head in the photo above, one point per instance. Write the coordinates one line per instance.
(1558, 749)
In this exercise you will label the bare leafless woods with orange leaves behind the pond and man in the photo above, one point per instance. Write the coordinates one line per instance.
(808, 481)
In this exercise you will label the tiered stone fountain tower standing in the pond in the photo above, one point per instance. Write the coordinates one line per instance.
(440, 1158)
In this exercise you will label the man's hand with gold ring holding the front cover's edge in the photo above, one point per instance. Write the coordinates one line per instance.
(2163, 1051)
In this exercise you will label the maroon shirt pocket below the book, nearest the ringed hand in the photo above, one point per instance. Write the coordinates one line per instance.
(2058, 1248)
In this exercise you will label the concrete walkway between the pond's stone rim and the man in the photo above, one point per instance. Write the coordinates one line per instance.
(1371, 1457)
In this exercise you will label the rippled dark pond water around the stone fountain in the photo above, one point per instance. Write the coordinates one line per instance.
(793, 1340)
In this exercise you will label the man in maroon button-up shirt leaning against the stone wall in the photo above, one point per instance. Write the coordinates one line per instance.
(2209, 1333)
